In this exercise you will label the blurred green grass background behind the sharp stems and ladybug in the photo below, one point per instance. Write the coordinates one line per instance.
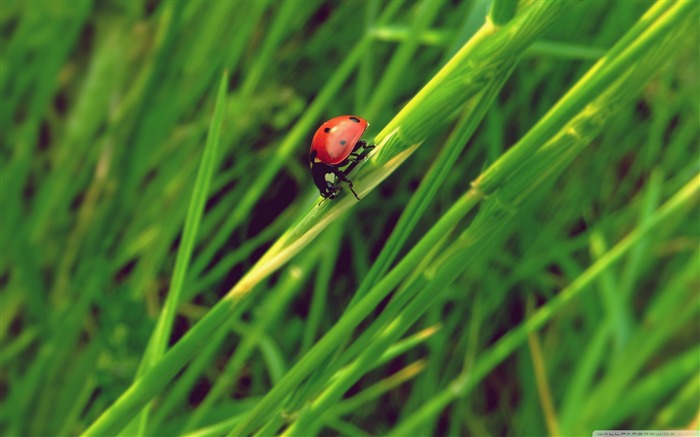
(106, 108)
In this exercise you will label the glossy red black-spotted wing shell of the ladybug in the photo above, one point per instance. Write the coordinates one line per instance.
(336, 138)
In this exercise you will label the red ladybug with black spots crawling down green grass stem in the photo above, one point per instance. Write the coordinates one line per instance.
(335, 145)
